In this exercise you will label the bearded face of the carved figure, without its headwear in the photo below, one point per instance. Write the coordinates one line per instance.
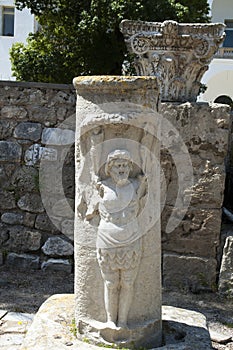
(119, 171)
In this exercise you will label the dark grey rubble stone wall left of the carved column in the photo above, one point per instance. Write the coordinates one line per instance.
(29, 112)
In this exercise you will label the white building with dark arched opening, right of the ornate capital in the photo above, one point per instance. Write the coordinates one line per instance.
(219, 77)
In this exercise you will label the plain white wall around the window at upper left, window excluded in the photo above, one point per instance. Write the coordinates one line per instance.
(23, 24)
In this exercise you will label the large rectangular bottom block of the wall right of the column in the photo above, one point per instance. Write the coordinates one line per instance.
(189, 272)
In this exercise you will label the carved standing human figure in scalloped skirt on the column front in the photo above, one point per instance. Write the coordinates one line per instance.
(118, 238)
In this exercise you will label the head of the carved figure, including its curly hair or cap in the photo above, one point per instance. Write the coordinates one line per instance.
(118, 166)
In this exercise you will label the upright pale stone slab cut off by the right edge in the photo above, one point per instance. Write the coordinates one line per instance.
(226, 270)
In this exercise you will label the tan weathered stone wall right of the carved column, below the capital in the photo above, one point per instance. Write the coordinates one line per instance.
(191, 252)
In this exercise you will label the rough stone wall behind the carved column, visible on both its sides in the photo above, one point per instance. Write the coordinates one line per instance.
(29, 114)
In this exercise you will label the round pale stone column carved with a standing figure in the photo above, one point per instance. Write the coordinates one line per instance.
(117, 220)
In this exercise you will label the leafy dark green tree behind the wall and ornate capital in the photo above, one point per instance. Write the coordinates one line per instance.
(83, 37)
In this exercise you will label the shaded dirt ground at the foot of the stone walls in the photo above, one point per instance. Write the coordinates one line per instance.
(25, 292)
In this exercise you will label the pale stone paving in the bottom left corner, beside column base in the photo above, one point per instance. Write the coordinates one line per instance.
(13, 327)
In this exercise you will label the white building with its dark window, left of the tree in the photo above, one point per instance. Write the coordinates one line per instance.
(14, 27)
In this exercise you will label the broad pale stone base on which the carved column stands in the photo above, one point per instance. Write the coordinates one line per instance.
(183, 329)
